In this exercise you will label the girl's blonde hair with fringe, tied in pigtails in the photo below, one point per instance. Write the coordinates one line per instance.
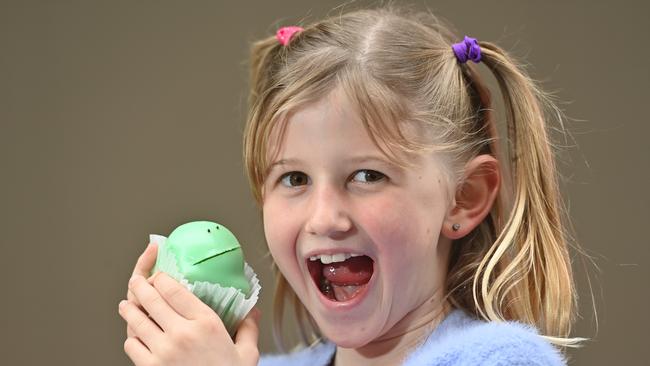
(398, 68)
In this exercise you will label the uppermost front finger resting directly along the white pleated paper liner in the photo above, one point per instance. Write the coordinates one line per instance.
(180, 298)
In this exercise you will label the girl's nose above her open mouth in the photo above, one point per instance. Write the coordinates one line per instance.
(328, 216)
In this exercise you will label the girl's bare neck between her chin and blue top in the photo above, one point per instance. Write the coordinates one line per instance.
(396, 344)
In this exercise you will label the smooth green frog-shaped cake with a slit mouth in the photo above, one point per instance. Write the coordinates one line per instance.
(208, 251)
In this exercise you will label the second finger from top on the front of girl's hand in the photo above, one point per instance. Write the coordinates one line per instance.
(154, 304)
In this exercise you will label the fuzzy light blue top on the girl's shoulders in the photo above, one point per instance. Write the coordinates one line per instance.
(458, 340)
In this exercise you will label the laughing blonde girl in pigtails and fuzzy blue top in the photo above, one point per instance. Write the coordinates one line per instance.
(405, 229)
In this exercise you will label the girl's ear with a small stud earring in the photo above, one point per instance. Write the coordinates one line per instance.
(474, 197)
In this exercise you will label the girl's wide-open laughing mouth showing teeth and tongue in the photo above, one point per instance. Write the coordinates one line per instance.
(341, 280)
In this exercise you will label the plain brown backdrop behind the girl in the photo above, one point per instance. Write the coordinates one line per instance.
(124, 118)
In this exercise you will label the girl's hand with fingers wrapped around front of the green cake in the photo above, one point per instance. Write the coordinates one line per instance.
(179, 329)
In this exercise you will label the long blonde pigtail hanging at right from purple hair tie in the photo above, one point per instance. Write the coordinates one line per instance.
(526, 274)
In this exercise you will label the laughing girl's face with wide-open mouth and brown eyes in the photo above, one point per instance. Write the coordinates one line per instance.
(330, 191)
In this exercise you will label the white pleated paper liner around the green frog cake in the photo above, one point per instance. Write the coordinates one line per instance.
(231, 304)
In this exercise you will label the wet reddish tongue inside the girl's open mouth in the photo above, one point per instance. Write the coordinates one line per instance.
(349, 274)
